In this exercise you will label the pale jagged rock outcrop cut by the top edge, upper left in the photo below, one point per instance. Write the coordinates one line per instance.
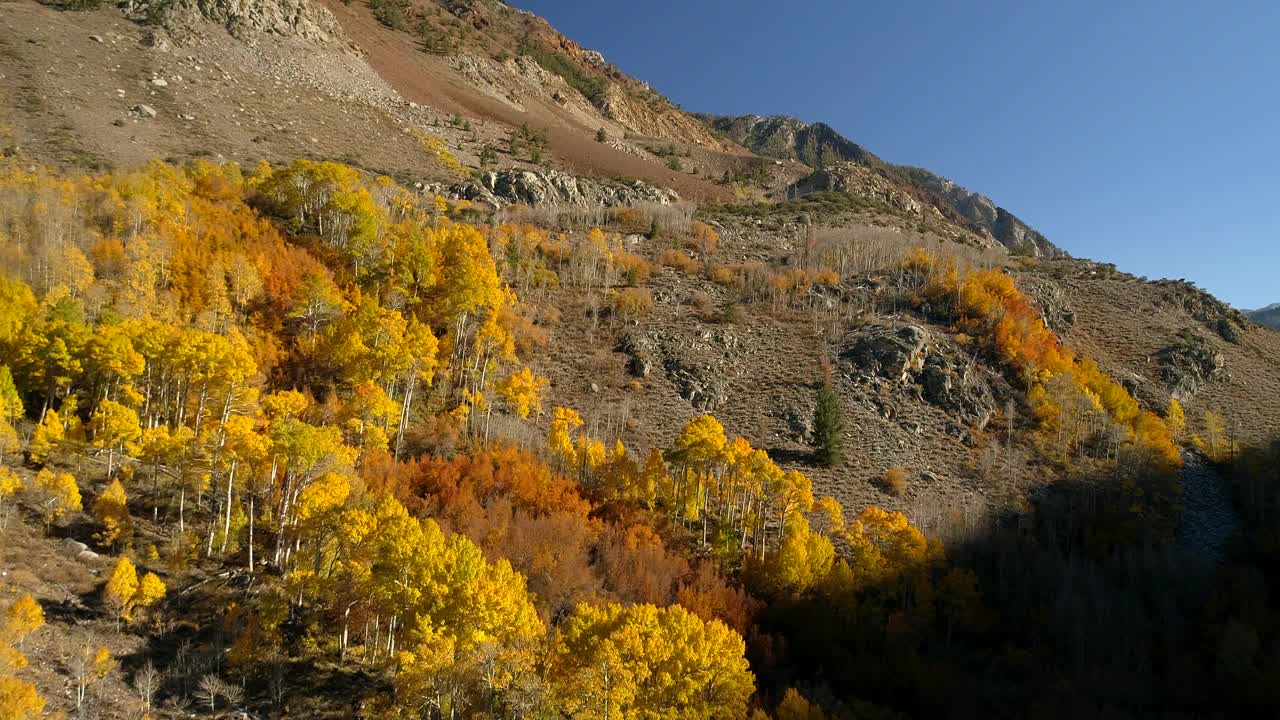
(246, 20)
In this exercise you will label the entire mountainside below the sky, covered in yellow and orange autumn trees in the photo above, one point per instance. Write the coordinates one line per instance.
(406, 359)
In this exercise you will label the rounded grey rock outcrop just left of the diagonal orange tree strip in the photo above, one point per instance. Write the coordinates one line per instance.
(907, 357)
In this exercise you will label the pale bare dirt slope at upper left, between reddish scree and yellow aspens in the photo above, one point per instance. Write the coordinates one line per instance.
(72, 85)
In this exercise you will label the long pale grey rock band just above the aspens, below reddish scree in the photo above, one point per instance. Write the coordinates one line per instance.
(552, 188)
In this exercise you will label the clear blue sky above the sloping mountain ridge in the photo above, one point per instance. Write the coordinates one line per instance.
(1137, 133)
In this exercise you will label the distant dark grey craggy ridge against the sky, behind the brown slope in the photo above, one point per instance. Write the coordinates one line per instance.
(824, 149)
